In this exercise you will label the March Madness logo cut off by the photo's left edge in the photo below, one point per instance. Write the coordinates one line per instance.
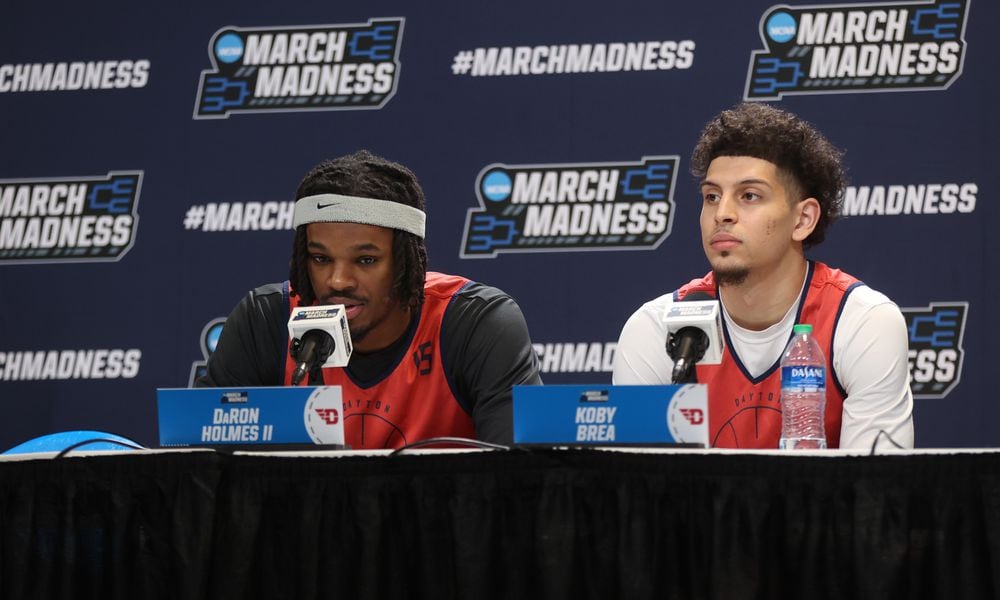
(76, 219)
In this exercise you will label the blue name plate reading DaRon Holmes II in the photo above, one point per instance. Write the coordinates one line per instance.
(285, 416)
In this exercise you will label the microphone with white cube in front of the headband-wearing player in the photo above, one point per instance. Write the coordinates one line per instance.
(319, 336)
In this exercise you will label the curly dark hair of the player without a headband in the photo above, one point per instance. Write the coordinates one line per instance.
(802, 154)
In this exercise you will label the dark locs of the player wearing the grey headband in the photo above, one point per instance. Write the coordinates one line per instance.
(366, 175)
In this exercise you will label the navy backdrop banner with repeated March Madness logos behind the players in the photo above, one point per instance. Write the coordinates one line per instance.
(149, 159)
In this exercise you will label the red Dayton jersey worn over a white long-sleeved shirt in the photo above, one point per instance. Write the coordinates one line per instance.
(745, 412)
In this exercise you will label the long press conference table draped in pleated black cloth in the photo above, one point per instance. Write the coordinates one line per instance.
(555, 523)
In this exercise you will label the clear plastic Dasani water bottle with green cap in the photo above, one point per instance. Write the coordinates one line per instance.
(803, 392)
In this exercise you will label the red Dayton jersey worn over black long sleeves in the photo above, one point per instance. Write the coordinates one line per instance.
(414, 400)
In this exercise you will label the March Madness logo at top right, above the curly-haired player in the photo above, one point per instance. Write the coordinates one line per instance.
(837, 48)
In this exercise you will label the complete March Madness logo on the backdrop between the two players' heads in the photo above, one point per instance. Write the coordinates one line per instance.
(569, 207)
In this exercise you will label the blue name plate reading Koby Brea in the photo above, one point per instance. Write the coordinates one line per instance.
(608, 415)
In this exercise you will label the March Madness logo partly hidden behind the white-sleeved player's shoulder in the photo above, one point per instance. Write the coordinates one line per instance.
(936, 350)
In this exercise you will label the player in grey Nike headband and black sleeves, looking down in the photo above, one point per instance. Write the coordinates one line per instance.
(434, 355)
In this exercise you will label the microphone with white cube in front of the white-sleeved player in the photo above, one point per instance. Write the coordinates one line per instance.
(694, 334)
